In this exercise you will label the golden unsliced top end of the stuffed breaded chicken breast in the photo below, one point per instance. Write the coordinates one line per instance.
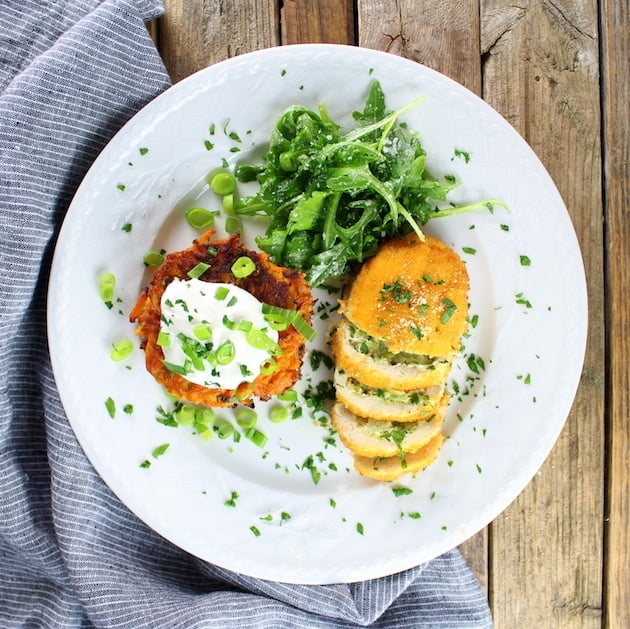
(413, 295)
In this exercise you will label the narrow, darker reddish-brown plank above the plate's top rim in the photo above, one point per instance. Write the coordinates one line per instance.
(317, 21)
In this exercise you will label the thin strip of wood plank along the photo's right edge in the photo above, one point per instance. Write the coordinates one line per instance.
(616, 83)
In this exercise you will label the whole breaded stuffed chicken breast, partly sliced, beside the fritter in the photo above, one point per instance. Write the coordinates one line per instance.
(393, 348)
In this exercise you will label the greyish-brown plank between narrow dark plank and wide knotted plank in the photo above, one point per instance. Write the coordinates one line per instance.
(445, 37)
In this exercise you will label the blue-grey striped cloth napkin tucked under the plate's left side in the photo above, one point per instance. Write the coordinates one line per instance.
(71, 555)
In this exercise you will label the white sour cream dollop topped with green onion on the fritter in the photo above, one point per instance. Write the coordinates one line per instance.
(214, 334)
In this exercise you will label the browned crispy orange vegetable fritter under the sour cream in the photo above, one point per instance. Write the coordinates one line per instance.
(269, 283)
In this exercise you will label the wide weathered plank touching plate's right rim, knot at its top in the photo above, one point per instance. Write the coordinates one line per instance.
(541, 73)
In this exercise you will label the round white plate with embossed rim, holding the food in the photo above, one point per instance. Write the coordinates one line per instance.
(500, 431)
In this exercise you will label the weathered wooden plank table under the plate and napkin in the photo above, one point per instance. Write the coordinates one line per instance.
(558, 71)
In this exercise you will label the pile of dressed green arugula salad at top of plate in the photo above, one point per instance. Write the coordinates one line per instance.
(332, 197)
